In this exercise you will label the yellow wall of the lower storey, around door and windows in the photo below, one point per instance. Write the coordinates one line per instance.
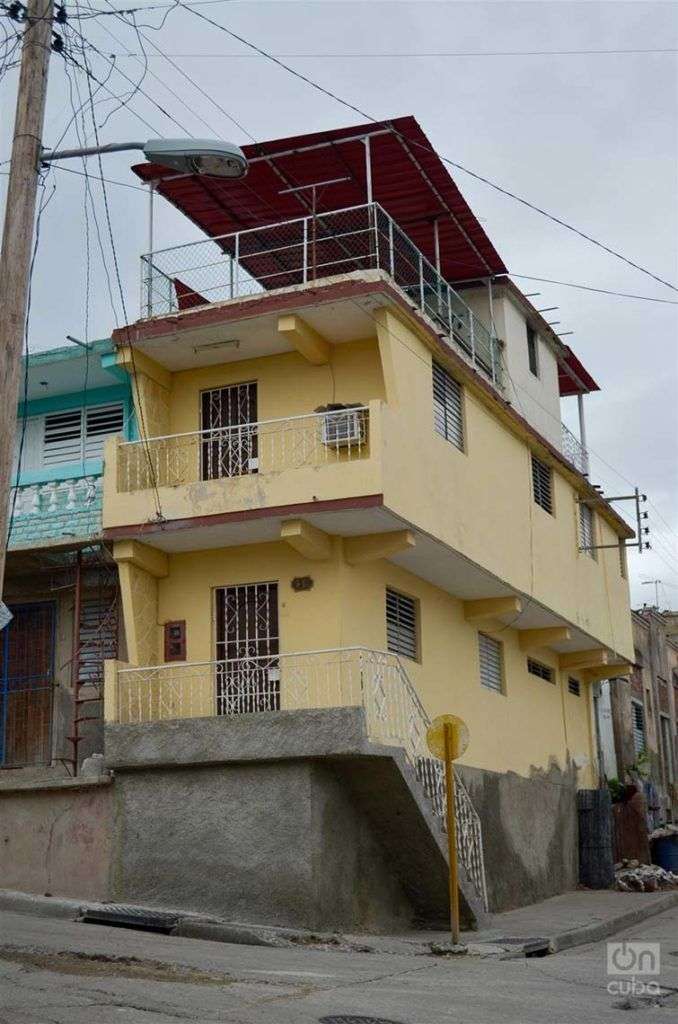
(532, 723)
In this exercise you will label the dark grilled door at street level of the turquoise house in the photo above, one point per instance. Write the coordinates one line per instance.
(27, 670)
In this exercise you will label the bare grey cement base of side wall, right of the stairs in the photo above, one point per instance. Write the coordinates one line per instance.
(530, 833)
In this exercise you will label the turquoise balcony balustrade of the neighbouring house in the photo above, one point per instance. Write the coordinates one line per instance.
(56, 510)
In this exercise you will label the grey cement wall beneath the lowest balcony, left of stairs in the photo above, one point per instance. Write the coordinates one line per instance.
(274, 843)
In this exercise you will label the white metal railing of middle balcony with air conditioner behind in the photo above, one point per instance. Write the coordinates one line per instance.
(268, 447)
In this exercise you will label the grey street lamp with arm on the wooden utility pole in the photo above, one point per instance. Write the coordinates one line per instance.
(189, 156)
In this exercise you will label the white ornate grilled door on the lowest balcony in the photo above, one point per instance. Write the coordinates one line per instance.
(248, 648)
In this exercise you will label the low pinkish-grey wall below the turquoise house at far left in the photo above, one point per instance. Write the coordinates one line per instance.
(57, 839)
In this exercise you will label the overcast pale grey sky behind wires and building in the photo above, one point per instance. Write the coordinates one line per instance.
(591, 138)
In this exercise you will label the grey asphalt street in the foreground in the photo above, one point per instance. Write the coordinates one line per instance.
(60, 972)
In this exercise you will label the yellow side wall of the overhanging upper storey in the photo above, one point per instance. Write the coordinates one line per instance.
(480, 502)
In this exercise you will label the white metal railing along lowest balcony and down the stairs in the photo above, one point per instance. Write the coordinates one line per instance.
(348, 677)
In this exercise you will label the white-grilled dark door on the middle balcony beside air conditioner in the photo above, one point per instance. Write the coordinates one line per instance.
(230, 447)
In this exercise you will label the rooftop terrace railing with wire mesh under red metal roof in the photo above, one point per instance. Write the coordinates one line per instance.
(296, 252)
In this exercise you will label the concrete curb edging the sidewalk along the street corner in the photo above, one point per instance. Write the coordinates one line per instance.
(200, 927)
